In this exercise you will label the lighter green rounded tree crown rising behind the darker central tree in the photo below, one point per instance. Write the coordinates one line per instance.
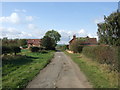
(54, 35)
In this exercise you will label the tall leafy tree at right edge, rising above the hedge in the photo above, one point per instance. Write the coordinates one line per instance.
(109, 30)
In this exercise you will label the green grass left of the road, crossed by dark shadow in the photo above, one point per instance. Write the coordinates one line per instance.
(18, 70)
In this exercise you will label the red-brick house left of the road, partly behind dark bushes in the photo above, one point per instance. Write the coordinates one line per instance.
(33, 42)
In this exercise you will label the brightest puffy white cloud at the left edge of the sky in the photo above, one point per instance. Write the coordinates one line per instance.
(13, 18)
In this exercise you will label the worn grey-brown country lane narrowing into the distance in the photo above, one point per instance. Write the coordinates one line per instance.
(62, 72)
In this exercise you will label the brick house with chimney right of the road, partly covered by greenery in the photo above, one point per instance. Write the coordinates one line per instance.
(88, 41)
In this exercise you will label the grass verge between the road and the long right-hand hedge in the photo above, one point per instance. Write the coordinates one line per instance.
(98, 75)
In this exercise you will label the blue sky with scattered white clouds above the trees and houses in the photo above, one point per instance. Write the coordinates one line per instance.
(32, 20)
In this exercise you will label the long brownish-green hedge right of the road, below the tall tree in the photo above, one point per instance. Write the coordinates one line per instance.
(103, 54)
